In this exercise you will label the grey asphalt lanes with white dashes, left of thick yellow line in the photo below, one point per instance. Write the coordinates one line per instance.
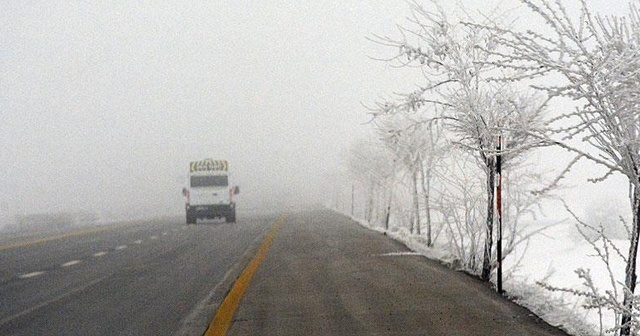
(144, 278)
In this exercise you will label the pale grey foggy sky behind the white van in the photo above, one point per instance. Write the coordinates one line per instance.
(103, 104)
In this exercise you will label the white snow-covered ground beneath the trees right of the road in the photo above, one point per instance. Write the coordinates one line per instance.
(552, 257)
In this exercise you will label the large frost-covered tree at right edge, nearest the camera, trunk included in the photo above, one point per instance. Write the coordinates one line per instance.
(598, 59)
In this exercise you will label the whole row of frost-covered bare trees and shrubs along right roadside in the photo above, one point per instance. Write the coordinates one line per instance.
(452, 163)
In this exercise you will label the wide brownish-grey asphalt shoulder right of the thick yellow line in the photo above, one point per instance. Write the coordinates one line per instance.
(326, 275)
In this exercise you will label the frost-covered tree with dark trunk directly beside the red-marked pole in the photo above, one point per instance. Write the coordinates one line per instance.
(454, 60)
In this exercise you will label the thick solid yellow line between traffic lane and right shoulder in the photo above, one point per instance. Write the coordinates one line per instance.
(222, 320)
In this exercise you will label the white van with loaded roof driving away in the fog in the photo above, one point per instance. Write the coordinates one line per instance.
(209, 195)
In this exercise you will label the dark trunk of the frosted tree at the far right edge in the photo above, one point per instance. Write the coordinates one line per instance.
(630, 270)
